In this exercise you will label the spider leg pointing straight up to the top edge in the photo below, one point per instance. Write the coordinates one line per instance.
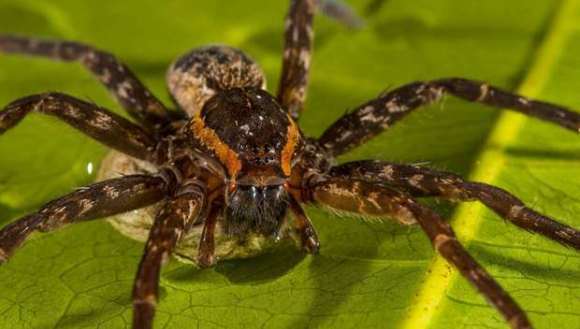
(298, 39)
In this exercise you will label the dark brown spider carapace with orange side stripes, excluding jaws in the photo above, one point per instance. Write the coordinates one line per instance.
(248, 132)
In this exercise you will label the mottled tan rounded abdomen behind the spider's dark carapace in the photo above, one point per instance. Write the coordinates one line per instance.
(203, 72)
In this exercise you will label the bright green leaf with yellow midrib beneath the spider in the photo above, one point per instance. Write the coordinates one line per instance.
(368, 275)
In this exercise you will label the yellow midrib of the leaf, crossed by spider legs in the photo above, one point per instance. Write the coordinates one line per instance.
(467, 218)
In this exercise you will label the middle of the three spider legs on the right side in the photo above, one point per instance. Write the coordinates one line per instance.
(421, 181)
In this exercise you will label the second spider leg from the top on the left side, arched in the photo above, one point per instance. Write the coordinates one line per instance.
(100, 124)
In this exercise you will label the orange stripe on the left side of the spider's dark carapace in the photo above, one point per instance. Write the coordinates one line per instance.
(210, 139)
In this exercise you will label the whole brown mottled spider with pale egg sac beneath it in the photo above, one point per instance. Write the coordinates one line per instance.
(227, 173)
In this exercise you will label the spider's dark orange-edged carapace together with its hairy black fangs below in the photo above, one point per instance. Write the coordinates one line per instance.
(255, 140)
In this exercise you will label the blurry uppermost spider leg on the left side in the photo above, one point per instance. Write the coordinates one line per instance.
(121, 82)
